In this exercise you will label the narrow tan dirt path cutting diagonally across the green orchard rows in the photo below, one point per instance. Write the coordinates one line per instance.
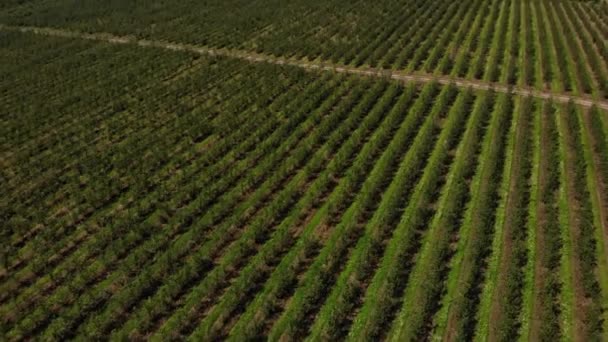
(311, 65)
